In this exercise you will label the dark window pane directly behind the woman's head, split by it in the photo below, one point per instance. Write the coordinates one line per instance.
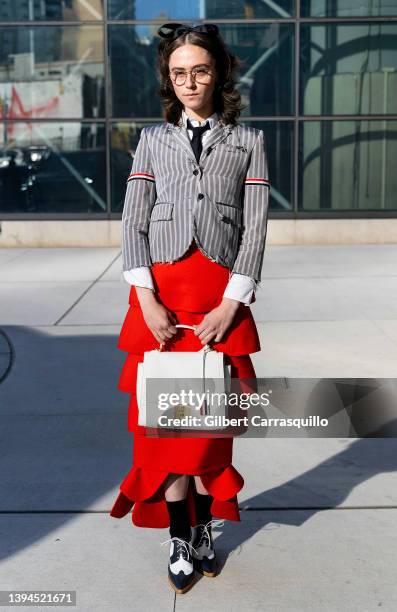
(265, 81)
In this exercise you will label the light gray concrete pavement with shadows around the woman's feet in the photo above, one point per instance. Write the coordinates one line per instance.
(318, 515)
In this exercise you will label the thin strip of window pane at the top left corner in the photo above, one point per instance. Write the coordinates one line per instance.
(47, 10)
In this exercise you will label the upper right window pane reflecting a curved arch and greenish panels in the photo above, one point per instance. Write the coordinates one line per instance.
(348, 69)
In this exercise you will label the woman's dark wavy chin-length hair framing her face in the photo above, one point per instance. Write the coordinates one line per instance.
(227, 99)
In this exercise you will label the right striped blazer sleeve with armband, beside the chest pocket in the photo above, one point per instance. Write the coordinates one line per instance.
(249, 258)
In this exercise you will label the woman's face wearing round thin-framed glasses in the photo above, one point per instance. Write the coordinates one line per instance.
(194, 96)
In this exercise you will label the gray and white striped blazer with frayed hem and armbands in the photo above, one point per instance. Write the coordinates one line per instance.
(220, 202)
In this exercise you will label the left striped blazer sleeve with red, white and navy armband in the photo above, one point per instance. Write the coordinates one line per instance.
(139, 199)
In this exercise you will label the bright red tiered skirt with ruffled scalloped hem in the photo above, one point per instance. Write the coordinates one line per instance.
(189, 287)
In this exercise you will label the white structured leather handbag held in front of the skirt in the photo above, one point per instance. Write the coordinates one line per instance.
(202, 372)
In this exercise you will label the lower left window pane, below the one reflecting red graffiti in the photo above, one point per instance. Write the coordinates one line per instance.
(52, 167)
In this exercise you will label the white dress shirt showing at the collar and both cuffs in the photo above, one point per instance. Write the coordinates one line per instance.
(240, 287)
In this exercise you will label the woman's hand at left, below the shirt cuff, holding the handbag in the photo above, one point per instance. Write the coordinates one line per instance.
(157, 317)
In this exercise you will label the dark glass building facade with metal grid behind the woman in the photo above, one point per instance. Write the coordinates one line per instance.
(78, 82)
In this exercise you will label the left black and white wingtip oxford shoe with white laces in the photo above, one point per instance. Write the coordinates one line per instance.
(180, 565)
